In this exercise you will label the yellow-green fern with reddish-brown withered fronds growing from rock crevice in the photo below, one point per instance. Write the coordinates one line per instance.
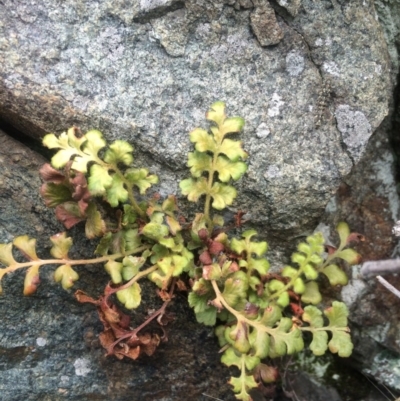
(258, 315)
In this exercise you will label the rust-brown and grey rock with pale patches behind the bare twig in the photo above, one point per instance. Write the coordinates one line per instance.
(369, 202)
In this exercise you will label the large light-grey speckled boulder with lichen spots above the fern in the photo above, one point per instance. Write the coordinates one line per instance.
(147, 71)
